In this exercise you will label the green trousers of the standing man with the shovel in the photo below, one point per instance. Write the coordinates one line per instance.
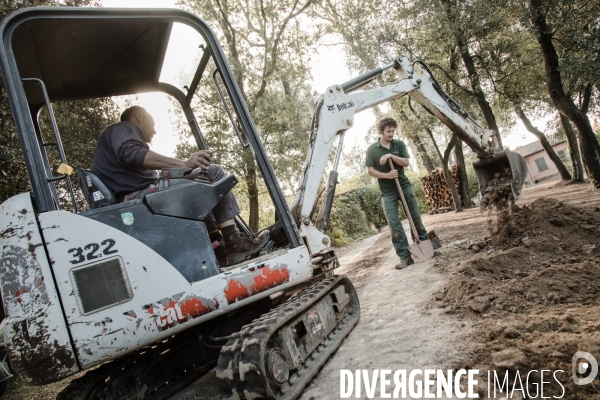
(390, 202)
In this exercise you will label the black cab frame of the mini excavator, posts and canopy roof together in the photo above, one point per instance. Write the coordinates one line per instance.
(61, 53)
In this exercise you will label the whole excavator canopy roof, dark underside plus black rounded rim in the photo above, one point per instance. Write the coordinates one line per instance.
(83, 54)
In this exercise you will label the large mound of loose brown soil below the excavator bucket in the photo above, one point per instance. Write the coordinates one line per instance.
(535, 296)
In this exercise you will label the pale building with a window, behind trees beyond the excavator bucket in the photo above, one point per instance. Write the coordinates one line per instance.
(539, 165)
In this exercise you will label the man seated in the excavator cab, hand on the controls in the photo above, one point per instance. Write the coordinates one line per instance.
(126, 164)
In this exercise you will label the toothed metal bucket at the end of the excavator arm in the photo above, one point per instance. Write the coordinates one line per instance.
(503, 163)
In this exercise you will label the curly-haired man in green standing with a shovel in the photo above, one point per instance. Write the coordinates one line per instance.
(378, 167)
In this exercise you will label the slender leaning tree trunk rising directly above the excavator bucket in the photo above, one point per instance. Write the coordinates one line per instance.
(474, 79)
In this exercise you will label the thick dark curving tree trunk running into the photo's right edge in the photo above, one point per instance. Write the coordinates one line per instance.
(562, 102)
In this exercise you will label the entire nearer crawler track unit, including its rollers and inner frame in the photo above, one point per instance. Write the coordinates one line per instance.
(278, 354)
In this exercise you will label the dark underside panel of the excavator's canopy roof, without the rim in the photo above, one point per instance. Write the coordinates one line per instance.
(81, 60)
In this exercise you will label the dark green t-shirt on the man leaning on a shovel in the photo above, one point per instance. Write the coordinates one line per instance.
(374, 154)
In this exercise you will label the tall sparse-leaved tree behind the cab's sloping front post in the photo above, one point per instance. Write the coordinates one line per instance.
(268, 50)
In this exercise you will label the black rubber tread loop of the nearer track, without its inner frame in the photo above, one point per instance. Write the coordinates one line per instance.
(241, 366)
